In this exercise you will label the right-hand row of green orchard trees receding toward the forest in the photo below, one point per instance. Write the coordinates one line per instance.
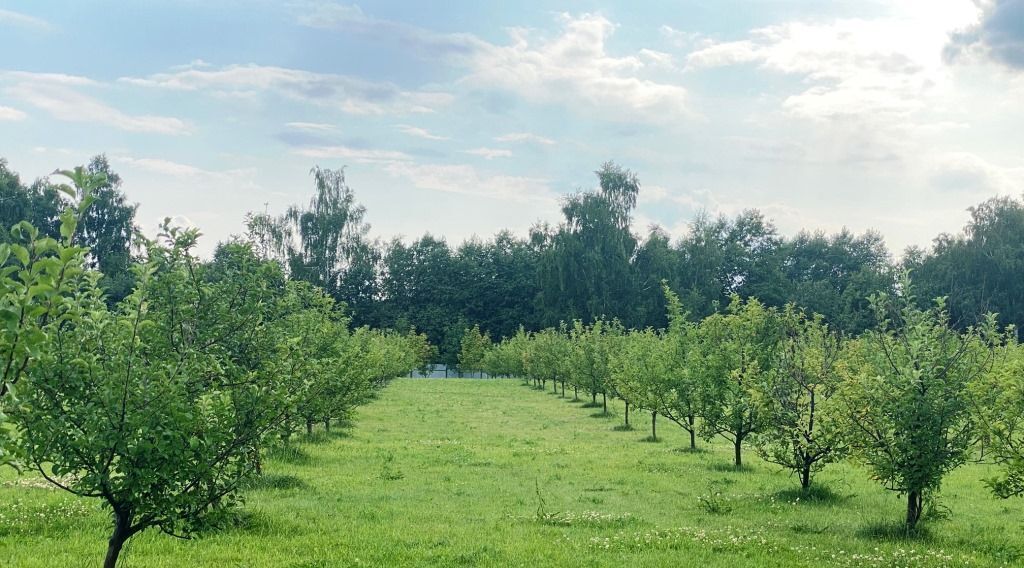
(912, 399)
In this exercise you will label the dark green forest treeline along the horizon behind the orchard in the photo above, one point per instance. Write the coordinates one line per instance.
(588, 266)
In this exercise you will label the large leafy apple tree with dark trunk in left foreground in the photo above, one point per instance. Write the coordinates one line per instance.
(154, 408)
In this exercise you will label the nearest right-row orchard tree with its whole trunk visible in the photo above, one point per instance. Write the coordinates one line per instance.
(908, 413)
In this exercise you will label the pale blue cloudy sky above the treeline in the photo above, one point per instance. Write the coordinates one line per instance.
(465, 118)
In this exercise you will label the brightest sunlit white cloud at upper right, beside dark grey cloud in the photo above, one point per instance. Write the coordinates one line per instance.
(887, 66)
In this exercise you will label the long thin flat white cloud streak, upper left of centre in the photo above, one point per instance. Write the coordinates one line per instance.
(350, 95)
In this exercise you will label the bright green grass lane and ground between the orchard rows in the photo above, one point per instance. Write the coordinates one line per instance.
(493, 473)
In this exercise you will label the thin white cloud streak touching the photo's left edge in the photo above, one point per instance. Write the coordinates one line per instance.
(57, 95)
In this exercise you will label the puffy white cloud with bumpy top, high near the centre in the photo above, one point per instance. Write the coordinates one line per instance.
(574, 69)
